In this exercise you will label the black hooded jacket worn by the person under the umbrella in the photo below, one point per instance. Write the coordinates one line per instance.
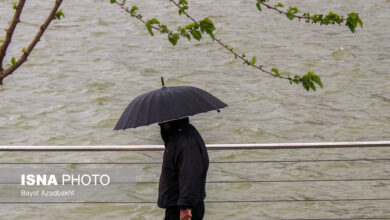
(184, 168)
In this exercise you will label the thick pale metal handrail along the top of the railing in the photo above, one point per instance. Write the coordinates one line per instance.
(271, 146)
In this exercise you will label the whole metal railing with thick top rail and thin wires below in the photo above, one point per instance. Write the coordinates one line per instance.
(276, 146)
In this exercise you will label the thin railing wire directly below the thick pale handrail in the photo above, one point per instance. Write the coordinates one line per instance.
(216, 162)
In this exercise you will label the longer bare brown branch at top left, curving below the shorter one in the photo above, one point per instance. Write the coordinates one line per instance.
(27, 51)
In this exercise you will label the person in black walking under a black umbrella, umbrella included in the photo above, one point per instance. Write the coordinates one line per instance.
(185, 160)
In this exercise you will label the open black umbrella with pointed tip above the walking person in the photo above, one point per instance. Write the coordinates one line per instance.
(167, 104)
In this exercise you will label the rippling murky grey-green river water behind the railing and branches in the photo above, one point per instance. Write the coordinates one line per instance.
(90, 65)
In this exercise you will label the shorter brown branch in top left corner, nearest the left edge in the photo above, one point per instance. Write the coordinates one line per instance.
(10, 31)
